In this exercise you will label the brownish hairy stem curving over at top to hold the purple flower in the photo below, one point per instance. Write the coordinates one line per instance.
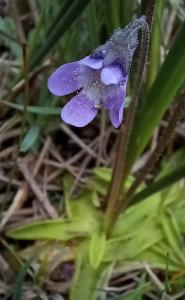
(118, 176)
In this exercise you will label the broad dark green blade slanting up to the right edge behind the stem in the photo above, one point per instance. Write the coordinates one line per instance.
(169, 80)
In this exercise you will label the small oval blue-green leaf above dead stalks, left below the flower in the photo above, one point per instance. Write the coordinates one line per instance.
(30, 139)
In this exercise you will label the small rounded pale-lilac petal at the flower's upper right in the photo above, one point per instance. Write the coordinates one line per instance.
(111, 74)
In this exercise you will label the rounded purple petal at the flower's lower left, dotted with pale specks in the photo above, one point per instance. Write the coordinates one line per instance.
(79, 111)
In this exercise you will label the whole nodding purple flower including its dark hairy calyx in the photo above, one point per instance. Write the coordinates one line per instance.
(99, 79)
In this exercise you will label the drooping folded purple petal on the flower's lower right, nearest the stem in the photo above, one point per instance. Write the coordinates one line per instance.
(114, 102)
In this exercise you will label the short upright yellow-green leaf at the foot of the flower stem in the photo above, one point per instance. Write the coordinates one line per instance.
(97, 249)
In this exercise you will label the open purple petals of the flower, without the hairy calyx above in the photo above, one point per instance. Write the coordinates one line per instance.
(100, 86)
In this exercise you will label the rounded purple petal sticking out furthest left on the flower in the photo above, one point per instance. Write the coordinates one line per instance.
(65, 79)
